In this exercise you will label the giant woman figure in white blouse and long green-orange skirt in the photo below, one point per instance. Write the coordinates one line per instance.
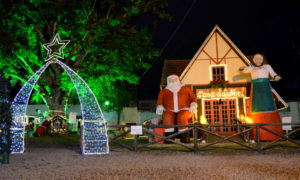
(262, 108)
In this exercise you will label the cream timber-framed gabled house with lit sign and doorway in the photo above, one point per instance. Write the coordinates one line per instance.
(222, 92)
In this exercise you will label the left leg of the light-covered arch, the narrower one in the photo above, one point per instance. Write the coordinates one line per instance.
(19, 107)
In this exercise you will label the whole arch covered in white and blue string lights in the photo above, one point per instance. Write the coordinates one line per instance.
(94, 133)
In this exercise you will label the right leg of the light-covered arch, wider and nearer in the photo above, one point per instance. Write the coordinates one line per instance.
(94, 132)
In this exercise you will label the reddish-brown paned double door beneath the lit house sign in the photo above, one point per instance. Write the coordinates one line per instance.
(221, 112)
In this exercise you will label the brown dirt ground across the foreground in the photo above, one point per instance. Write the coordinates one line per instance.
(60, 163)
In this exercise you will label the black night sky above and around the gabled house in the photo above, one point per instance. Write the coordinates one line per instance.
(268, 27)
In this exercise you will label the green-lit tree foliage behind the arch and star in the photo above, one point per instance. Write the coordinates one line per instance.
(105, 49)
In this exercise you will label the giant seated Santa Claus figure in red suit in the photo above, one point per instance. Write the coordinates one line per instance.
(176, 103)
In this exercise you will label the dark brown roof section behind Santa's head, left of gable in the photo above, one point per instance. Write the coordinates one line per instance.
(172, 67)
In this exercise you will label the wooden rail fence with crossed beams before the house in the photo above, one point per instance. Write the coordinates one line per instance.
(243, 131)
